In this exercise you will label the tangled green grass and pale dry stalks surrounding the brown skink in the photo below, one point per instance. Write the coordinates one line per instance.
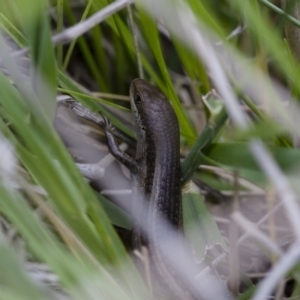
(243, 140)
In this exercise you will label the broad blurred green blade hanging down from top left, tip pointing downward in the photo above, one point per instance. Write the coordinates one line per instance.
(35, 23)
